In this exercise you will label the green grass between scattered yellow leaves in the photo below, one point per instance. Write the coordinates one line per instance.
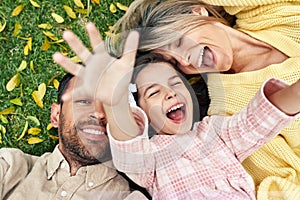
(44, 69)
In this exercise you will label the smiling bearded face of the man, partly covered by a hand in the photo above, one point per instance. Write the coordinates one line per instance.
(82, 128)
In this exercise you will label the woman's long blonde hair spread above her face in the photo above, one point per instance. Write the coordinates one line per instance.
(159, 22)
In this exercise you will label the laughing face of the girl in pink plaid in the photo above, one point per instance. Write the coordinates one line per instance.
(165, 99)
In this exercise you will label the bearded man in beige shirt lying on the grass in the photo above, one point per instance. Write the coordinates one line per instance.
(80, 167)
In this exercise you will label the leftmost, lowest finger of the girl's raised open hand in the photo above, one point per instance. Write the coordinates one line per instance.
(67, 64)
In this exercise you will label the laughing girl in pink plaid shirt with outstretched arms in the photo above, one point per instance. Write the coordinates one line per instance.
(183, 160)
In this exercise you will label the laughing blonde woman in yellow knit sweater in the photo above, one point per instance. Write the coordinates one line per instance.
(263, 42)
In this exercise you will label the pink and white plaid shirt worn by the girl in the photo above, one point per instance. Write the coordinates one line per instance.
(204, 163)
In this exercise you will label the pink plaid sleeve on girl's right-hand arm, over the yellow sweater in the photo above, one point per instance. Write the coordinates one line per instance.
(254, 125)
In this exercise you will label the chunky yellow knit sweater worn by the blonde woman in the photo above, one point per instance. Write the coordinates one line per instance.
(275, 167)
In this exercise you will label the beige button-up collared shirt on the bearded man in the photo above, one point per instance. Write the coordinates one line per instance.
(24, 176)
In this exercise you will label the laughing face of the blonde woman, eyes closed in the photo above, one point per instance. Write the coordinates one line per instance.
(204, 49)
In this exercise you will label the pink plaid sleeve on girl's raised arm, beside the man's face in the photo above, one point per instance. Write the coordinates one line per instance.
(134, 157)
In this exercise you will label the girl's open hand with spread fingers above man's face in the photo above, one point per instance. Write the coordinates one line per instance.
(101, 76)
